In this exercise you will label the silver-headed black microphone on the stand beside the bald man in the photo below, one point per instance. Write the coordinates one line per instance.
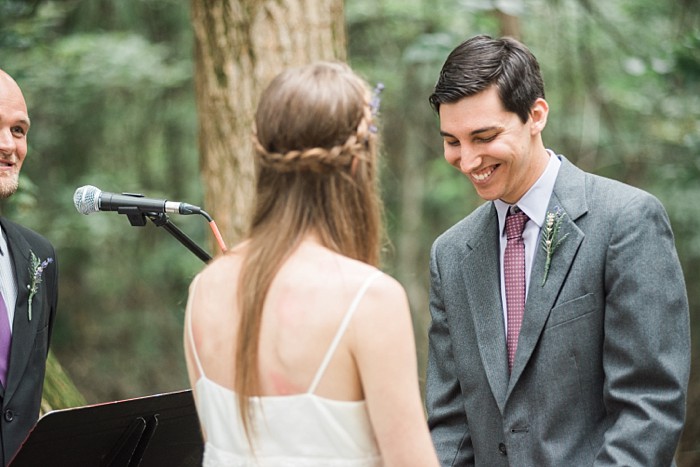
(89, 199)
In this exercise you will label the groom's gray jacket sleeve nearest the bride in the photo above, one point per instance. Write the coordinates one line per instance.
(446, 415)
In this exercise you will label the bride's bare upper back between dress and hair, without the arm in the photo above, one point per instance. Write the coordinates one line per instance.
(303, 310)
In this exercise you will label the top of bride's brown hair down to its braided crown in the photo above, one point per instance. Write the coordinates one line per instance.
(315, 118)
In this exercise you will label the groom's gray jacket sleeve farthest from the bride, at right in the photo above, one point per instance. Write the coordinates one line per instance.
(647, 341)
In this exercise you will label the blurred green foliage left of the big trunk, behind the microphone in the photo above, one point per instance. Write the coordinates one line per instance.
(112, 107)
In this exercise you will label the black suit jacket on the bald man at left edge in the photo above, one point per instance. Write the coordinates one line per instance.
(21, 399)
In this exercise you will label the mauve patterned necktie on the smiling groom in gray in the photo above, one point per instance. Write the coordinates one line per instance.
(514, 272)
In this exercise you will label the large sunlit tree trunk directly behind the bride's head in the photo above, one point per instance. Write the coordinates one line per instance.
(239, 47)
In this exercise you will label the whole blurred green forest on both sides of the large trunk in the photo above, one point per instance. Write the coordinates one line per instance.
(110, 86)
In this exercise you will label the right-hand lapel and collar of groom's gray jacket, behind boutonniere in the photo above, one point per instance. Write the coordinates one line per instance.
(569, 197)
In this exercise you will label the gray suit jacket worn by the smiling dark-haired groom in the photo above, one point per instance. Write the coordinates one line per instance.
(602, 365)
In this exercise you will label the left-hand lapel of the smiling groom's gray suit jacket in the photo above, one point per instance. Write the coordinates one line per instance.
(480, 272)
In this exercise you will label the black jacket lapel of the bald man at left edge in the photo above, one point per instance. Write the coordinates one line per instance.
(23, 330)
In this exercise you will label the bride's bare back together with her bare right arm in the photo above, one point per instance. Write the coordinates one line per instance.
(305, 305)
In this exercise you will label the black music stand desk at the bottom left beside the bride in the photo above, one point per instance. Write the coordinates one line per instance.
(152, 431)
